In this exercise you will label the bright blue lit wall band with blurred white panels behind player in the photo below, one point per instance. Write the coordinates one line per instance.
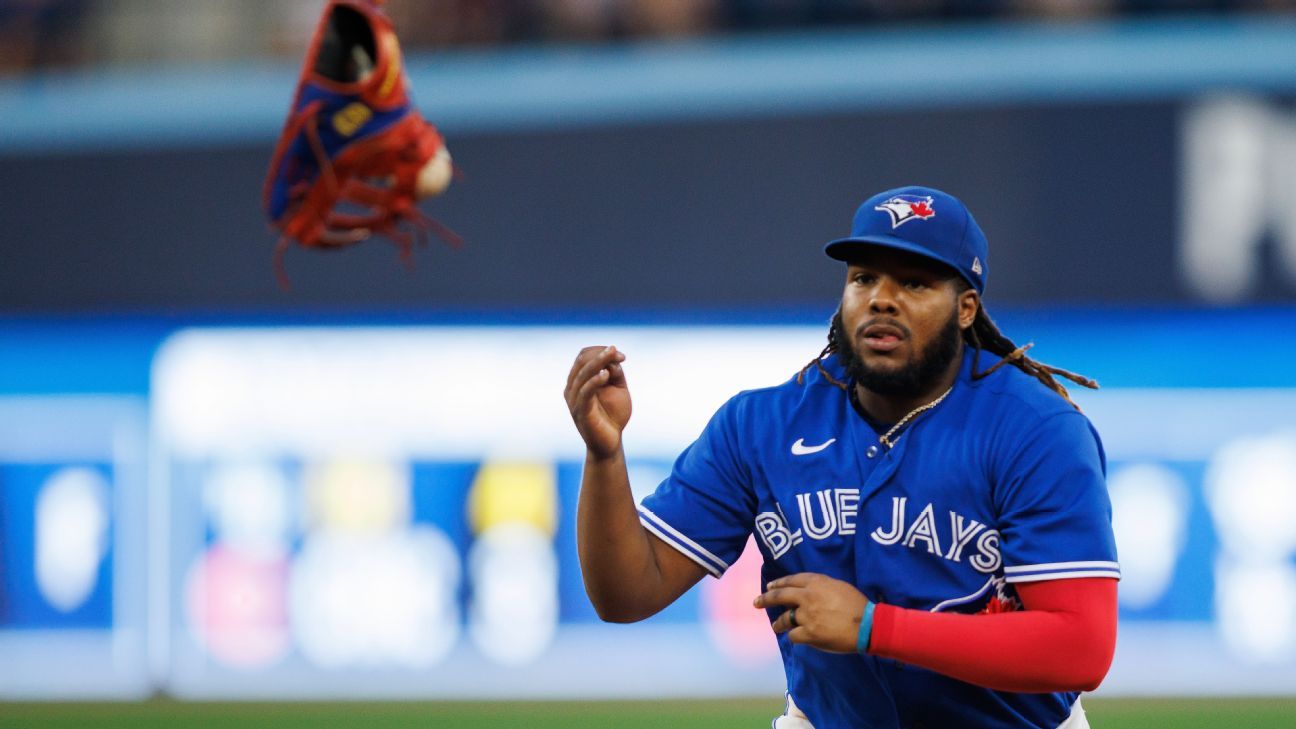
(239, 472)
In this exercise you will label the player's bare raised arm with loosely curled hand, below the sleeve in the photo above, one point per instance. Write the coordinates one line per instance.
(629, 574)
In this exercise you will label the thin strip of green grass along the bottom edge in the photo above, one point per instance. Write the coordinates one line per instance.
(747, 714)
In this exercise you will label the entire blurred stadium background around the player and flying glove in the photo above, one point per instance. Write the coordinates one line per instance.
(224, 504)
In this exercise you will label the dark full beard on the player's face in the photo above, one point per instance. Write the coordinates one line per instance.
(914, 378)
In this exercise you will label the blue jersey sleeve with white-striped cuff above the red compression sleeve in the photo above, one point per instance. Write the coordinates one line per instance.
(1056, 517)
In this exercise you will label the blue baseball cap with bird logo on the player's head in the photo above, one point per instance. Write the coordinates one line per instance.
(923, 221)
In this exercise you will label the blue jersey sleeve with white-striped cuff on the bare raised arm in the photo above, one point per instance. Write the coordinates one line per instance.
(706, 508)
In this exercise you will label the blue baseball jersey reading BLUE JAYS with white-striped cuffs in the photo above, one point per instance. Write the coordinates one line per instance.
(1001, 483)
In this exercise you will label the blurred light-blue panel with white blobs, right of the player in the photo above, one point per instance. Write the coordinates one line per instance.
(1203, 486)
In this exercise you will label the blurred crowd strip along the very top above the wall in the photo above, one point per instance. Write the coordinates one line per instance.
(37, 34)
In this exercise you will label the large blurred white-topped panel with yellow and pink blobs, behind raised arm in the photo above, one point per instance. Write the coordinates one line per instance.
(389, 512)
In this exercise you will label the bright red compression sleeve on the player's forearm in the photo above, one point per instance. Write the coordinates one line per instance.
(1062, 641)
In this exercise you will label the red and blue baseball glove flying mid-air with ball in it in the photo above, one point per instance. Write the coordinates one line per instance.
(354, 156)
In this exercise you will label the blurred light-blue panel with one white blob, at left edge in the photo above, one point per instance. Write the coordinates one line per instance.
(73, 562)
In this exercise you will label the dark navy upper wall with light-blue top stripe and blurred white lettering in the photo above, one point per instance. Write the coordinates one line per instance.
(1106, 163)
